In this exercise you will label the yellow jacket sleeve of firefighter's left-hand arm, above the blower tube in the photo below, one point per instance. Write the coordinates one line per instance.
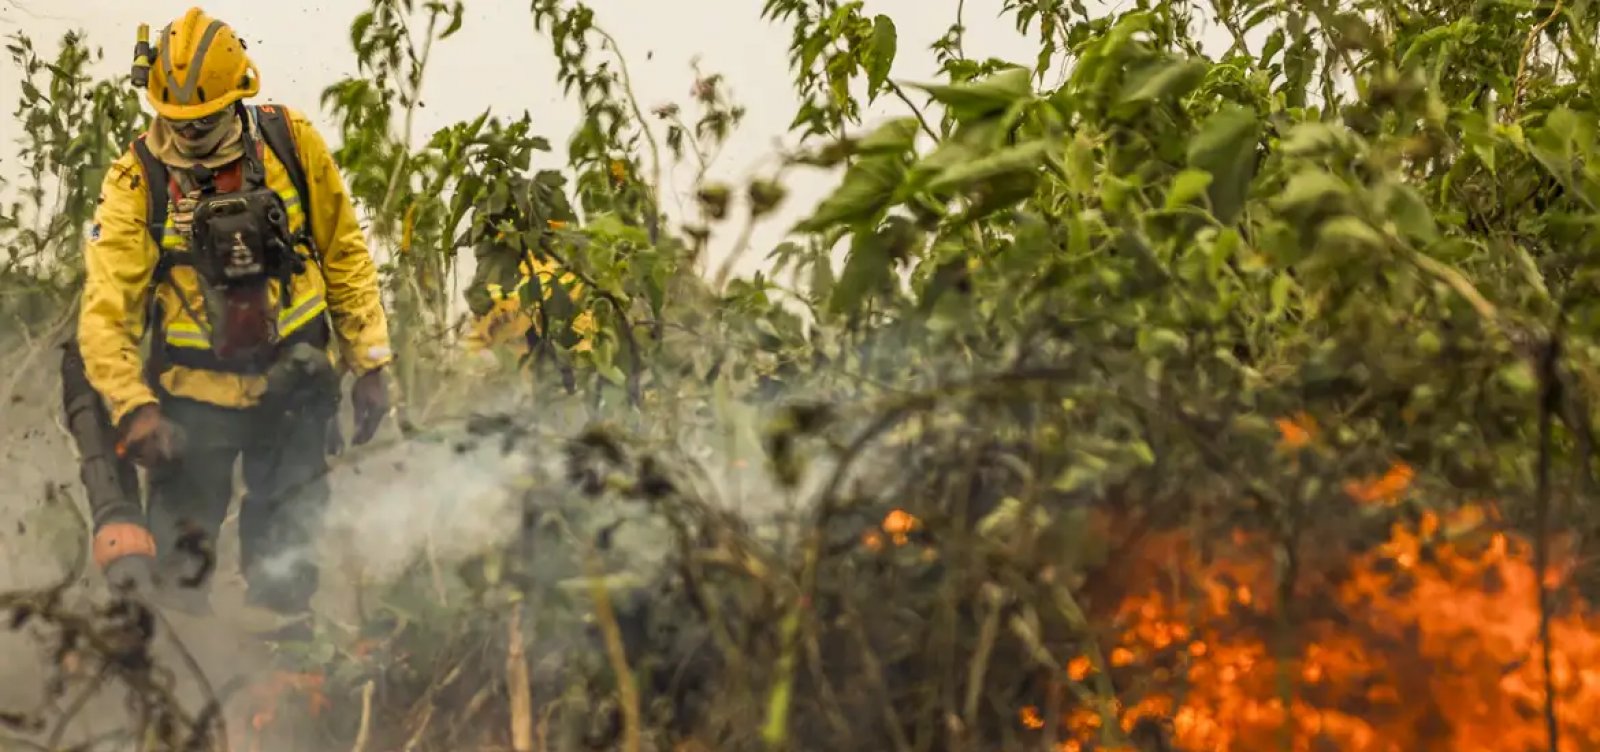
(119, 262)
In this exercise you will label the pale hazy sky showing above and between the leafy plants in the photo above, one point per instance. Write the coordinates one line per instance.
(498, 62)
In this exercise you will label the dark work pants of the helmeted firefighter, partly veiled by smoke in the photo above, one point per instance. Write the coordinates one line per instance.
(286, 495)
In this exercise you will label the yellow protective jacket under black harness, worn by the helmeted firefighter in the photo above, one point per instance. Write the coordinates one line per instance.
(122, 258)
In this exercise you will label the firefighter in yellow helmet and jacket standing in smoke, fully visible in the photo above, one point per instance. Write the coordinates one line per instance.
(226, 242)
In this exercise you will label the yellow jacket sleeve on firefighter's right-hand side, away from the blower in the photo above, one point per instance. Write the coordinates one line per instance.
(354, 297)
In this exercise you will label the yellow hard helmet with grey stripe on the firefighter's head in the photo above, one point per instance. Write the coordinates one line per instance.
(201, 70)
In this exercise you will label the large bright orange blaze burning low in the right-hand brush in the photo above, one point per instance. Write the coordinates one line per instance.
(1425, 642)
